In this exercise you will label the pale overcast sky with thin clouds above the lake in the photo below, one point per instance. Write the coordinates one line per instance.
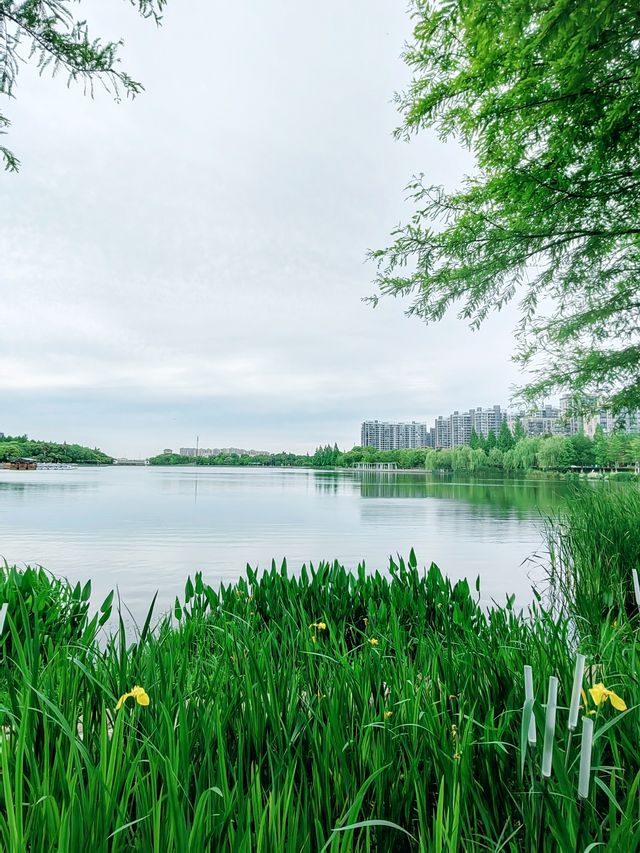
(193, 262)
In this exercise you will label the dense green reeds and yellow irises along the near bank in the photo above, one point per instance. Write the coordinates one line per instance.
(323, 710)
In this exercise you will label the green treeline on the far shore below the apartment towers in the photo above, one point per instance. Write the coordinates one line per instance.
(507, 451)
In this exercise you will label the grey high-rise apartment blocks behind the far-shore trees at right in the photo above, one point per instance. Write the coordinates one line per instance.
(457, 428)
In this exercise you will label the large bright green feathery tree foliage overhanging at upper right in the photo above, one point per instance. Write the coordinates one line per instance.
(547, 97)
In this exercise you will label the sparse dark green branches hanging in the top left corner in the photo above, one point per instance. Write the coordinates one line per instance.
(49, 33)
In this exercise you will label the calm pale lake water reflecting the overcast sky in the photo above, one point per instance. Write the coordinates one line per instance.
(144, 529)
